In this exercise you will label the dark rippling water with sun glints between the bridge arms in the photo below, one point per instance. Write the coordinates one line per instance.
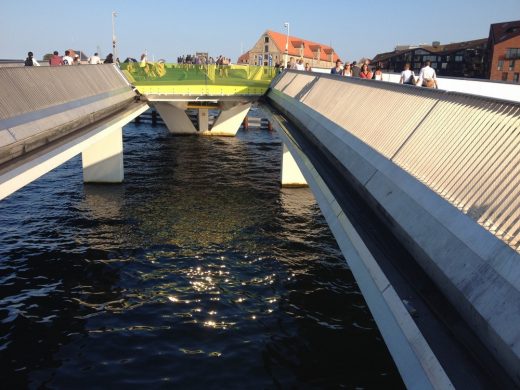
(197, 272)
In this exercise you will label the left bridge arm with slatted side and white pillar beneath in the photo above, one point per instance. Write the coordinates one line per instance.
(50, 114)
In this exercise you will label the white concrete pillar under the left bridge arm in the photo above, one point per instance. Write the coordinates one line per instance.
(103, 160)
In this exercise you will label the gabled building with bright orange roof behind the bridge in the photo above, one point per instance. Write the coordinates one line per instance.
(269, 50)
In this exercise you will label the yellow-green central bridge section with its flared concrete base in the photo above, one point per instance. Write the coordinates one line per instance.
(175, 88)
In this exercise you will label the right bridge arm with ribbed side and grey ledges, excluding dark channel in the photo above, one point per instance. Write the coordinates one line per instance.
(440, 171)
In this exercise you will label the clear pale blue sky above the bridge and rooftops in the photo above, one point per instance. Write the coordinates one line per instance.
(171, 28)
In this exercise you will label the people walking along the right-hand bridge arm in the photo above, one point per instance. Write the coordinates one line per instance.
(427, 76)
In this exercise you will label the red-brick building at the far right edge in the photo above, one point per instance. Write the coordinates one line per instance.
(504, 52)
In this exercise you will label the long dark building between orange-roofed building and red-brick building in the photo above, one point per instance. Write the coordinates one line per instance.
(461, 59)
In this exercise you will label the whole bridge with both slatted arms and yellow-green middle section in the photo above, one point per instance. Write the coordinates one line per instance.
(418, 186)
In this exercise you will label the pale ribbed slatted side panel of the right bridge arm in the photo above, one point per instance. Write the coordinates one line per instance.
(463, 147)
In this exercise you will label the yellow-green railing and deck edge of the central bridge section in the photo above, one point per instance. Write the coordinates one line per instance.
(191, 79)
